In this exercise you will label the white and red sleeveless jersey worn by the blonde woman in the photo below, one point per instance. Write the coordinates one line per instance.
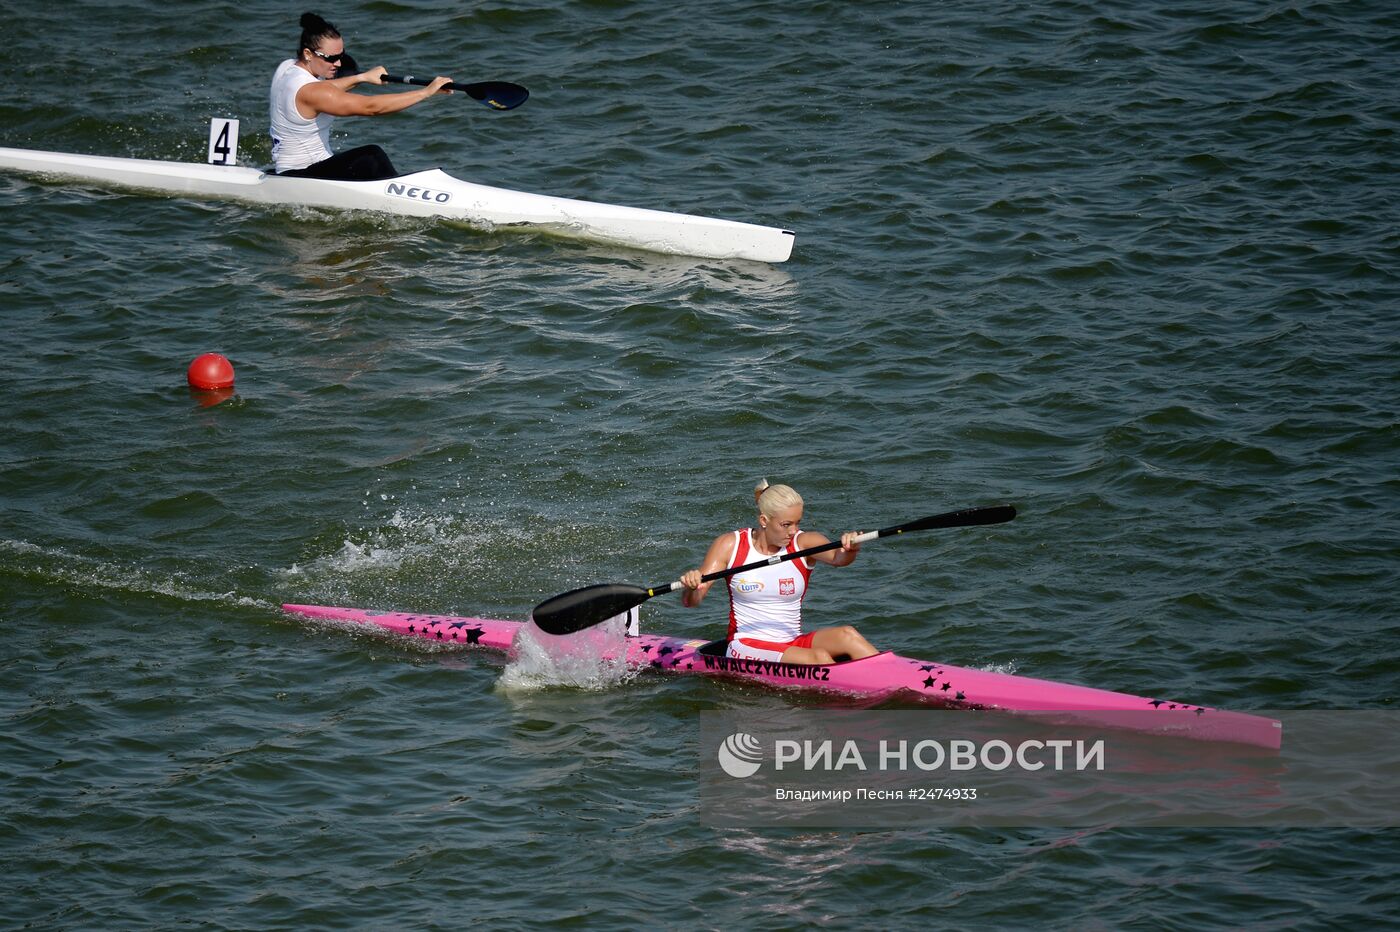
(766, 604)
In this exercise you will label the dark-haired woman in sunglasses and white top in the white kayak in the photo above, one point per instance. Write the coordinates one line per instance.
(307, 97)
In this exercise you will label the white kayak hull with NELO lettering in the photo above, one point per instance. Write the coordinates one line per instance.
(430, 194)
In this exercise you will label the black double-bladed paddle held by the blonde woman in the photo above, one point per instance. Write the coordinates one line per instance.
(584, 608)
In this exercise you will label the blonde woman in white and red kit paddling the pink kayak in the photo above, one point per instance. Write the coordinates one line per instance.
(766, 604)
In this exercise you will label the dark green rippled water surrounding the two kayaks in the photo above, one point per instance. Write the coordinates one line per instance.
(1132, 268)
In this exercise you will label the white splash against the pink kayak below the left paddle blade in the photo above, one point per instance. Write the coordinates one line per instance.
(590, 660)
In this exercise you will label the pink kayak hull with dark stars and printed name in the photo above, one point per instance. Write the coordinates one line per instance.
(876, 678)
